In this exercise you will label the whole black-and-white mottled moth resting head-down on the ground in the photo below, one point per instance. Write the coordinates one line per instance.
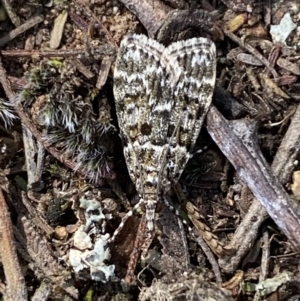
(162, 95)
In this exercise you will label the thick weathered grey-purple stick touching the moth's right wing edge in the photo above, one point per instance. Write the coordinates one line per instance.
(249, 163)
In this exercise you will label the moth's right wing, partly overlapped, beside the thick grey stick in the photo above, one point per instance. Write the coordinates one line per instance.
(193, 95)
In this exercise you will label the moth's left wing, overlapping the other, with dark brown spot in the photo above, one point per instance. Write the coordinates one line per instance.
(143, 90)
